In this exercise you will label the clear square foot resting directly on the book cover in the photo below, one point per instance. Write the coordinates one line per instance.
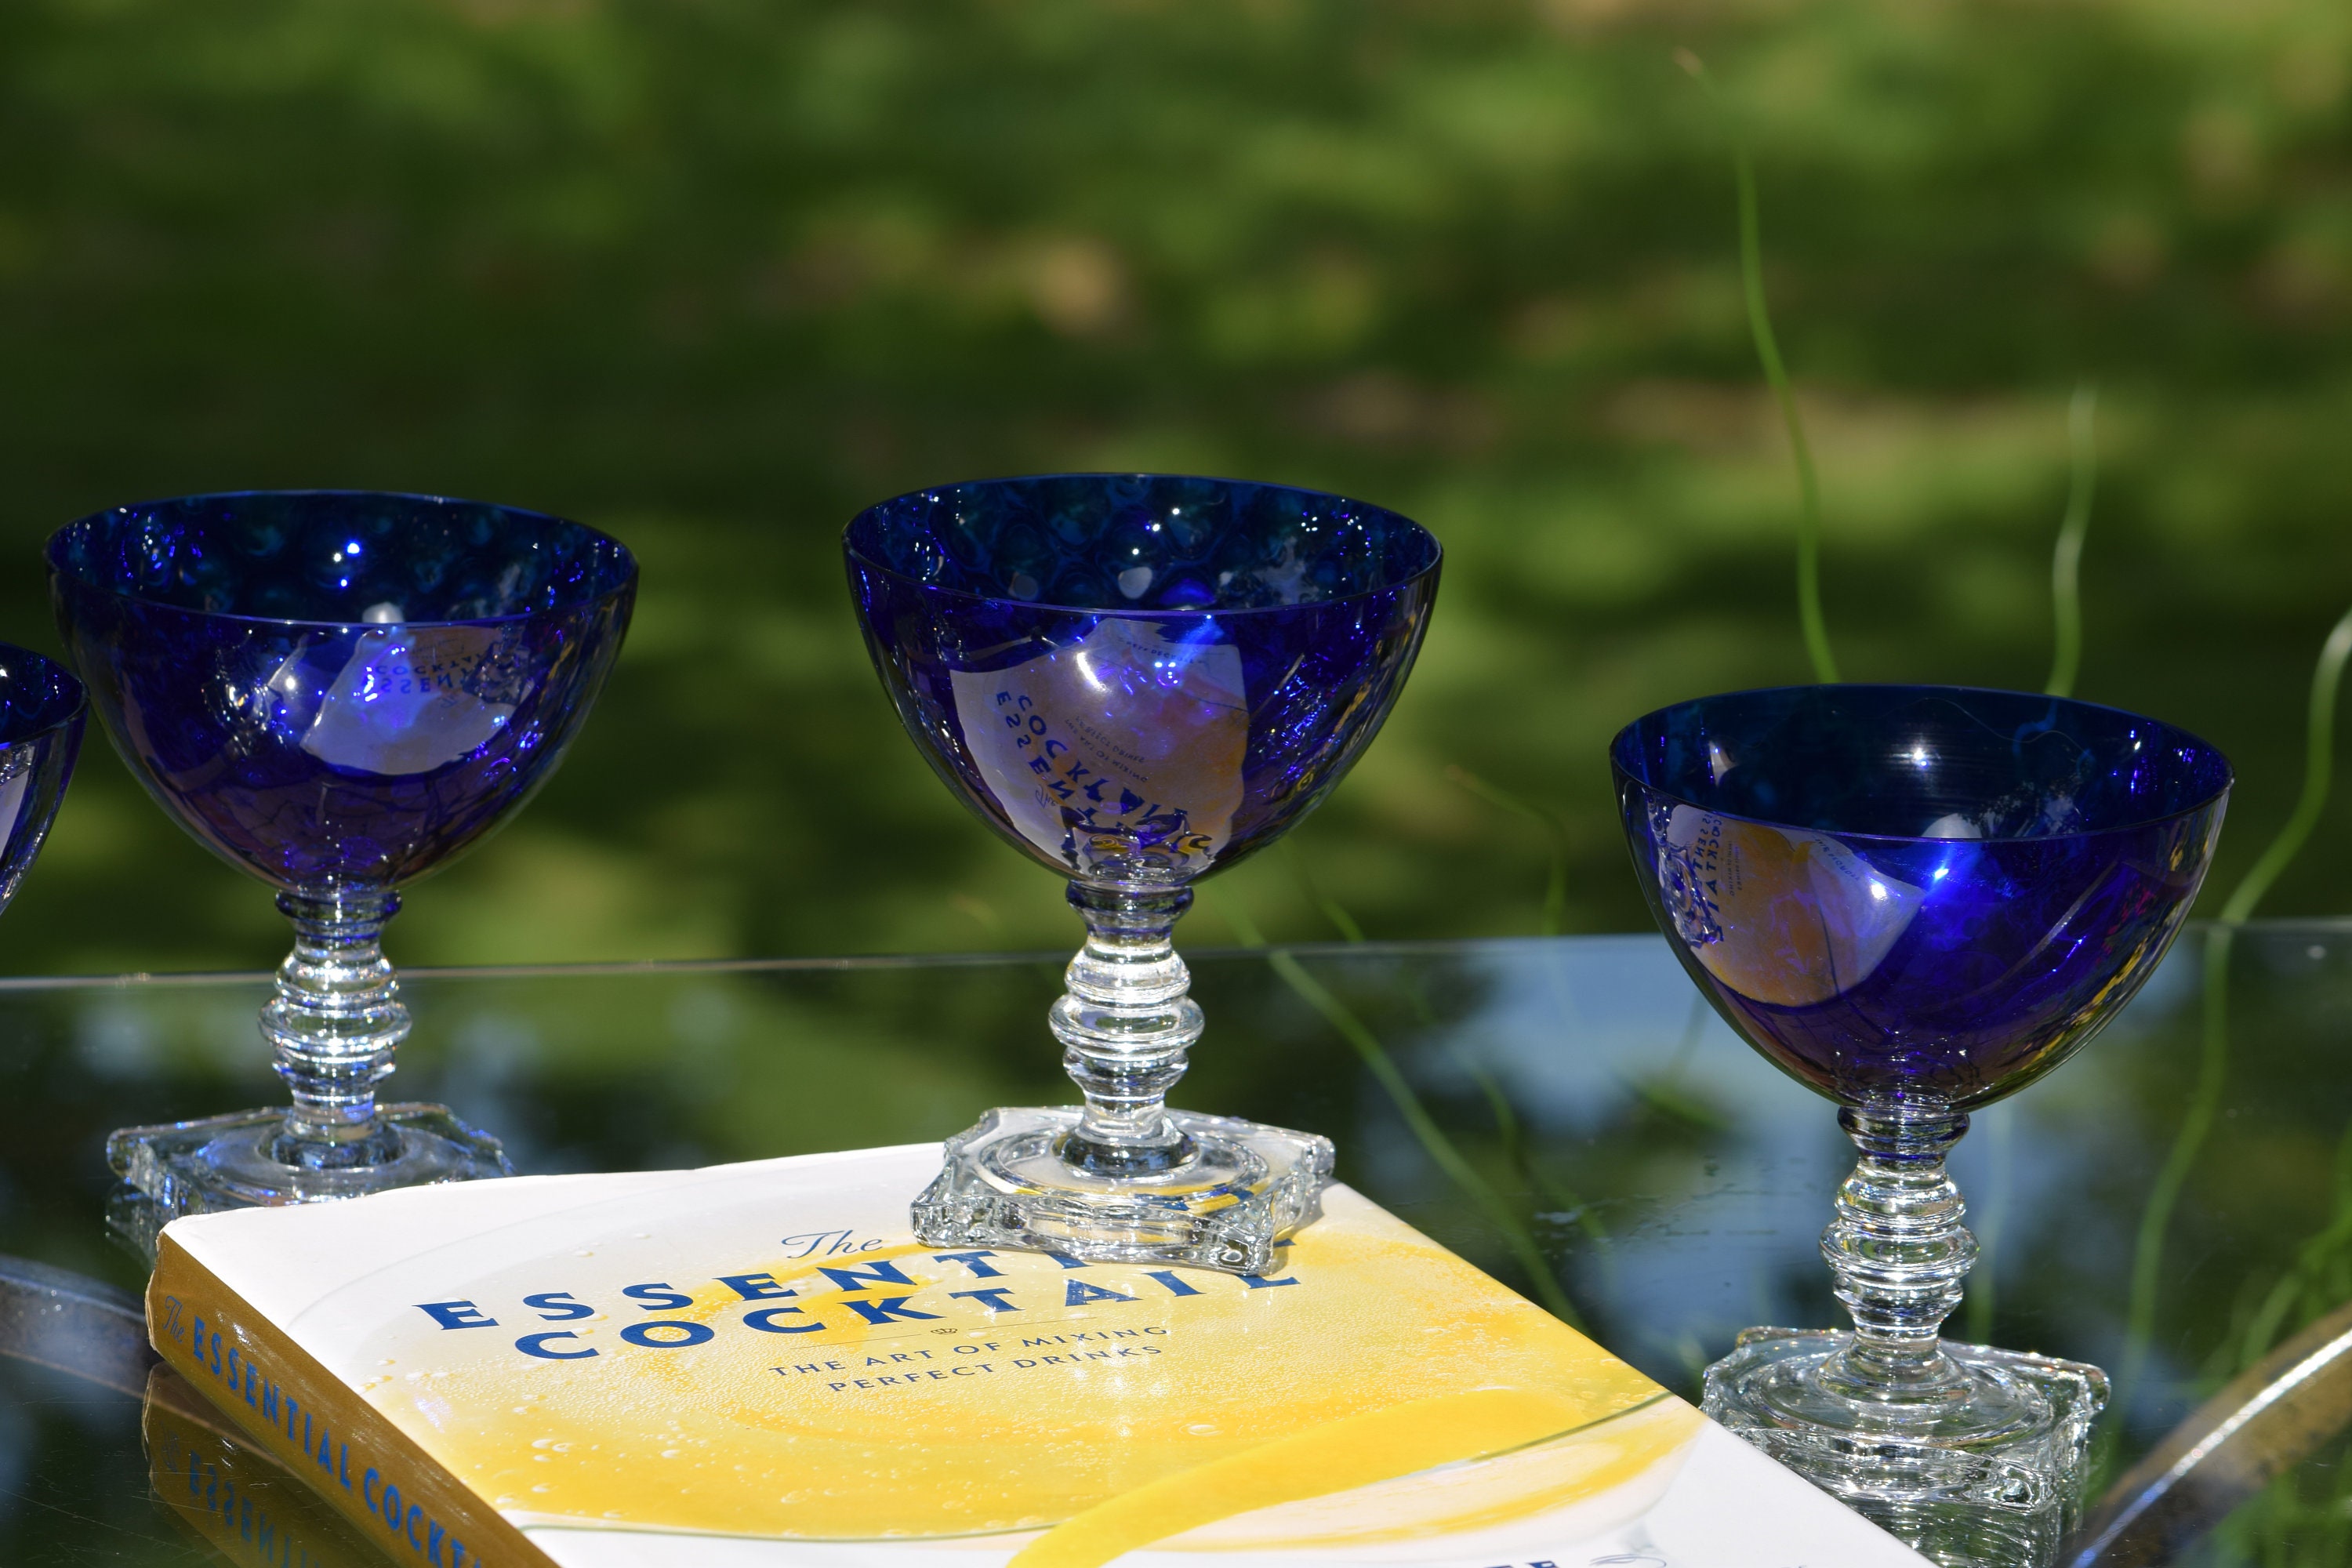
(1245, 1188)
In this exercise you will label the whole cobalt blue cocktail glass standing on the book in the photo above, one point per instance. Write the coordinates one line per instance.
(1137, 681)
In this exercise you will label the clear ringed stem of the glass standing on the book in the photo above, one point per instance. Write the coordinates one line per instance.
(1125, 1026)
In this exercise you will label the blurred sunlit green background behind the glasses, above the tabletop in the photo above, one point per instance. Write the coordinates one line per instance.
(714, 274)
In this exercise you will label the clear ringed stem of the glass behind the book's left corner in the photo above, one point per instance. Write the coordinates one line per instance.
(335, 1024)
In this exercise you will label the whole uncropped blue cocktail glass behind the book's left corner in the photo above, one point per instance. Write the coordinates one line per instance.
(335, 692)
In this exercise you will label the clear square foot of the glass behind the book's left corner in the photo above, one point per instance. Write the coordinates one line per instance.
(225, 1162)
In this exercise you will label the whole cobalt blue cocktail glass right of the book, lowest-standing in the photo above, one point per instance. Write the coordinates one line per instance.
(1916, 902)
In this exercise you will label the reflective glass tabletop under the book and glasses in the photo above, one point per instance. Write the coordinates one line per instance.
(1561, 1111)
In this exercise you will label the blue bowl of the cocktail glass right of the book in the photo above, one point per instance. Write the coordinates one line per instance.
(1918, 892)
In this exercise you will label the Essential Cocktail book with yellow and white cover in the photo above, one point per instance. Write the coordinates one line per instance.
(759, 1367)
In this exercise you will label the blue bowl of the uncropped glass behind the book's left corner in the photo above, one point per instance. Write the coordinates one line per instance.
(335, 688)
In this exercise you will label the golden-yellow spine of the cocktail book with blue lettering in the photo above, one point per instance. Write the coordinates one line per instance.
(319, 1428)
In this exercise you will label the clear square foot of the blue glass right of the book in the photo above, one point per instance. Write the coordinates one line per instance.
(1982, 1468)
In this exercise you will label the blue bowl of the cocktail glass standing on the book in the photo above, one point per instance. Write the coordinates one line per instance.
(1140, 678)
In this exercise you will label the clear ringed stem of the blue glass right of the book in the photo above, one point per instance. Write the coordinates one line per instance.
(1899, 1254)
